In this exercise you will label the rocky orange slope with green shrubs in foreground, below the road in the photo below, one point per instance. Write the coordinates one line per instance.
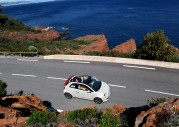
(16, 110)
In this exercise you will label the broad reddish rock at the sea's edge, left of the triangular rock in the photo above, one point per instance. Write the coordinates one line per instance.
(97, 43)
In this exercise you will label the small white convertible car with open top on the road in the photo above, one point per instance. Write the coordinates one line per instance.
(86, 87)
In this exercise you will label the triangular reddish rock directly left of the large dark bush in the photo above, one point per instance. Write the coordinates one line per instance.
(126, 47)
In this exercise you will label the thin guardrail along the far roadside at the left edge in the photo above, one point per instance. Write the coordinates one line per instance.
(19, 53)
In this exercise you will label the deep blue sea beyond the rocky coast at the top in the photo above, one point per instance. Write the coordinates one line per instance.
(118, 20)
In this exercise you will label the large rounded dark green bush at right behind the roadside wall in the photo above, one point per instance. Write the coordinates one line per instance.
(156, 47)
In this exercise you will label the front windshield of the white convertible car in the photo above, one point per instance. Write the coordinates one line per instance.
(95, 84)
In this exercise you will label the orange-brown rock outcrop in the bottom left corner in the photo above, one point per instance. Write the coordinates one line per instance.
(14, 110)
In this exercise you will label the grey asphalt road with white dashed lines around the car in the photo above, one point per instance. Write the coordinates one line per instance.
(130, 85)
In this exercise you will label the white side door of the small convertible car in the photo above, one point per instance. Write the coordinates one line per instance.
(86, 93)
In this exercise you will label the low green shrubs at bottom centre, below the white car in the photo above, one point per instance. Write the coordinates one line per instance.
(95, 118)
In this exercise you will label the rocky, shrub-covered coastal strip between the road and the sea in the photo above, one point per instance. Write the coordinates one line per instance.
(17, 37)
